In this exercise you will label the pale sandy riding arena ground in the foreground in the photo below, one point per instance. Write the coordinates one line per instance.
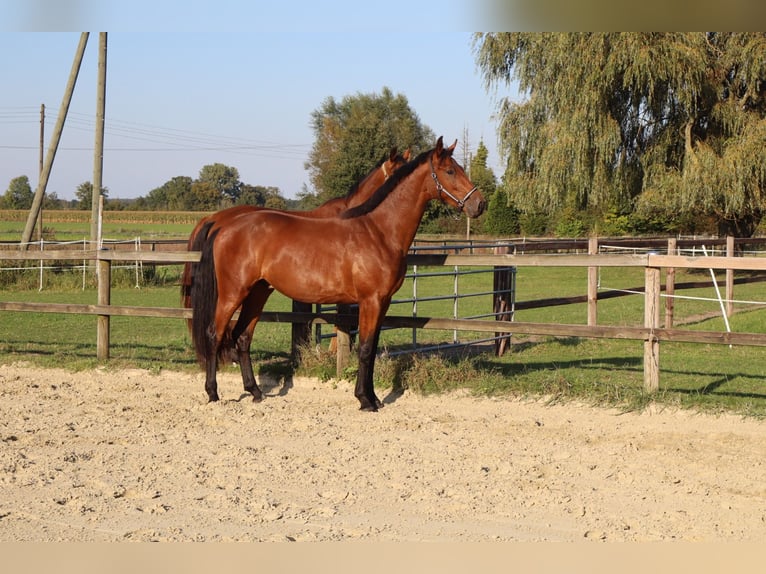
(128, 455)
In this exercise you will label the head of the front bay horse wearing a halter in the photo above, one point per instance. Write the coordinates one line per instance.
(452, 184)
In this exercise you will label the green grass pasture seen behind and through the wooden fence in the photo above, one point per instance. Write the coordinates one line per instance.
(600, 371)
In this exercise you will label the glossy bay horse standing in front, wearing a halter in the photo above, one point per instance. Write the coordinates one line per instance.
(357, 257)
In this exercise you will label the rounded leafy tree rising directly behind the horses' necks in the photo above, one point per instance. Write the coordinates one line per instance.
(352, 135)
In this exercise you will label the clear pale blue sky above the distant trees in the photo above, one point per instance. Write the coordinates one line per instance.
(180, 100)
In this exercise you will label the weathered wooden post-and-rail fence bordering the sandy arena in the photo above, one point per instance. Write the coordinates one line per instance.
(651, 333)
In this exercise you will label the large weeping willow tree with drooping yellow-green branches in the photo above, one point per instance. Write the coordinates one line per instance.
(655, 122)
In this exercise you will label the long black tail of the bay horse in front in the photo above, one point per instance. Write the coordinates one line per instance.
(204, 297)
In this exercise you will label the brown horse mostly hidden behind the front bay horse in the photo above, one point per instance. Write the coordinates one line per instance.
(356, 195)
